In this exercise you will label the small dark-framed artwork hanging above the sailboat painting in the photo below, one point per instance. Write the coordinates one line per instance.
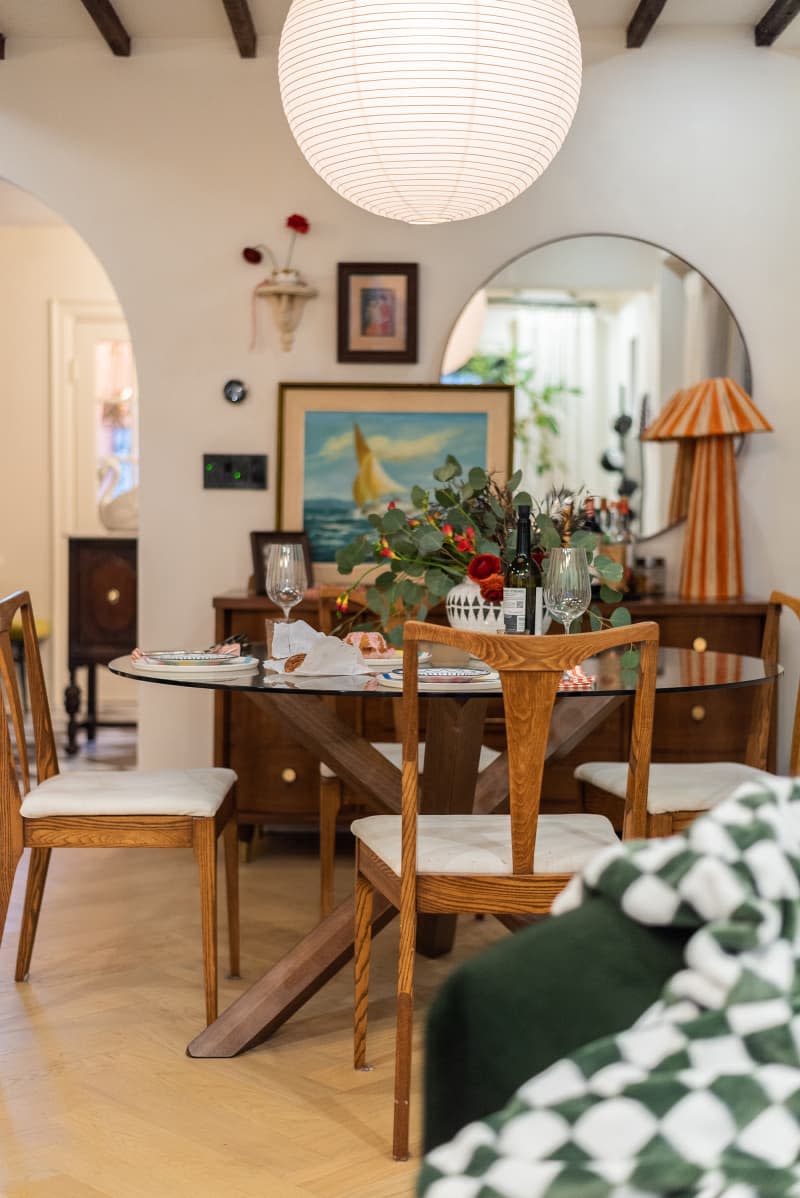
(377, 312)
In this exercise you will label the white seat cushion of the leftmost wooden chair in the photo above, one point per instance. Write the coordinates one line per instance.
(135, 792)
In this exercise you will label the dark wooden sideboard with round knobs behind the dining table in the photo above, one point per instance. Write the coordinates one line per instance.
(280, 779)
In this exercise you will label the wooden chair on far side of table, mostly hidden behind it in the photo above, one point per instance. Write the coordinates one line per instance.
(331, 788)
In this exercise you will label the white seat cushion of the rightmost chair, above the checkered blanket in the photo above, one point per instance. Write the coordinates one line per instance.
(675, 786)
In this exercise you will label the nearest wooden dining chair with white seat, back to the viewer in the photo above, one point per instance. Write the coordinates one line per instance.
(505, 864)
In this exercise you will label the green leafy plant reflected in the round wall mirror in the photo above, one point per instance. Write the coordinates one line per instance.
(535, 432)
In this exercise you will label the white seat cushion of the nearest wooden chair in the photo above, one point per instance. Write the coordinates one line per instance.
(483, 844)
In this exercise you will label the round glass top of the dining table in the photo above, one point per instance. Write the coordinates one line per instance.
(680, 670)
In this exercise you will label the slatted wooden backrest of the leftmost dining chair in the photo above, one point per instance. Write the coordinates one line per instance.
(15, 765)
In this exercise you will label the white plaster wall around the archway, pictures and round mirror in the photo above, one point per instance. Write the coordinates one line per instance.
(171, 162)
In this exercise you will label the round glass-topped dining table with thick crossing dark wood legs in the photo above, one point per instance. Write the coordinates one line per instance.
(451, 782)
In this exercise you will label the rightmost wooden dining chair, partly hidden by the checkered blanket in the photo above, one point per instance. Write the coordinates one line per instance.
(681, 791)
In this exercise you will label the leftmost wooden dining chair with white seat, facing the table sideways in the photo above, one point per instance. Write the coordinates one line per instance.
(131, 809)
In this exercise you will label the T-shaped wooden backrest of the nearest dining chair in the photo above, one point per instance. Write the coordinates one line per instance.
(531, 669)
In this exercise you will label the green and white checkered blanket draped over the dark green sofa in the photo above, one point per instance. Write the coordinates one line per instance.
(701, 1097)
